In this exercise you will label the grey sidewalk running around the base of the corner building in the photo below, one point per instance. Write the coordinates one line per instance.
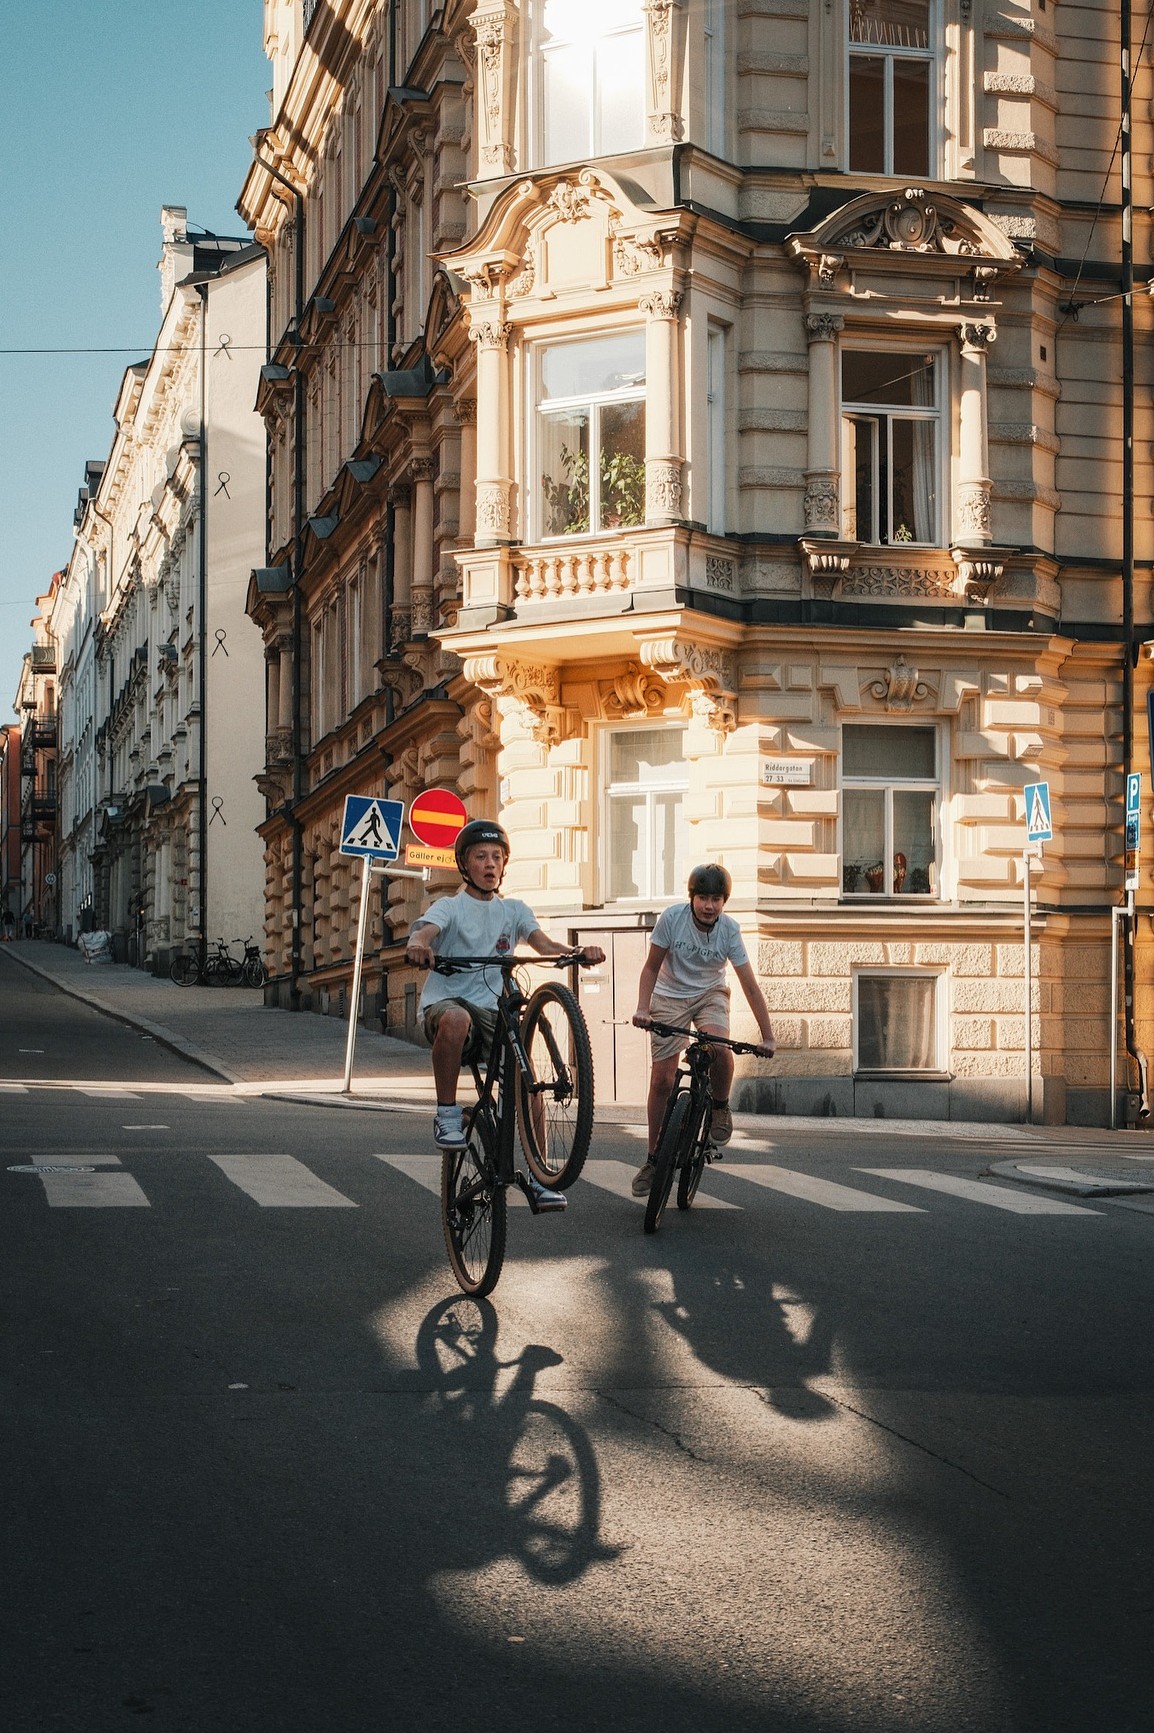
(301, 1056)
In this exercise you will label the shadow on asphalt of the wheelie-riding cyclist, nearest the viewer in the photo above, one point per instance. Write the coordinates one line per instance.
(528, 1474)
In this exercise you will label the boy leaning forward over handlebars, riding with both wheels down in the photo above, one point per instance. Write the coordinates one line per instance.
(684, 982)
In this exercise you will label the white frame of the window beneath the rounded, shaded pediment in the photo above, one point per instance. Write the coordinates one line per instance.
(937, 415)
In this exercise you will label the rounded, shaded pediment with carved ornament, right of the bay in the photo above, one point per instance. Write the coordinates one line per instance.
(912, 226)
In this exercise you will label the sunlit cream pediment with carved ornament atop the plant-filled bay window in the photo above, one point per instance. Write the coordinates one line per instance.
(561, 233)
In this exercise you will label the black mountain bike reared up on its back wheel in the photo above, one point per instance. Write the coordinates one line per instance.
(536, 1082)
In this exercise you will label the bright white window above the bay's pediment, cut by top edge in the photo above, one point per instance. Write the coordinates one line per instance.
(590, 79)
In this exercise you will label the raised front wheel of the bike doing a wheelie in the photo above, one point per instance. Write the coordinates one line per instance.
(555, 1101)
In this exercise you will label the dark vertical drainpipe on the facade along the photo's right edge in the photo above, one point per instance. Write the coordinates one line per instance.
(1127, 574)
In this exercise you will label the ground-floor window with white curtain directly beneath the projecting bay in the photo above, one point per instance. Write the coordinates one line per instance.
(647, 836)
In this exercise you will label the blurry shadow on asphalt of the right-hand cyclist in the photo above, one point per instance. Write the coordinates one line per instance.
(753, 1332)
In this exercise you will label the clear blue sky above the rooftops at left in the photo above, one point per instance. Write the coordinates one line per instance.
(108, 114)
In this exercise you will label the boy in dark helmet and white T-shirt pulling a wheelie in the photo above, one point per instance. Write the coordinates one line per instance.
(462, 1016)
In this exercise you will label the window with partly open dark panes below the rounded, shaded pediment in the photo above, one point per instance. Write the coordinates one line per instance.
(891, 446)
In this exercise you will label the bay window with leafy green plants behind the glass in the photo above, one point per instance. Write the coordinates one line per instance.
(590, 432)
